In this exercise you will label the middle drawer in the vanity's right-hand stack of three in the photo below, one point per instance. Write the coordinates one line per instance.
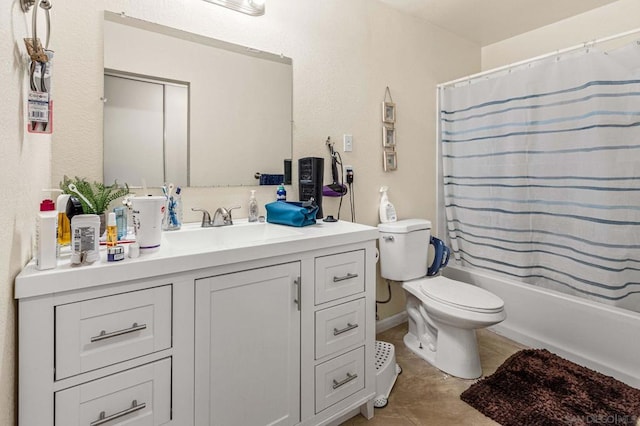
(339, 327)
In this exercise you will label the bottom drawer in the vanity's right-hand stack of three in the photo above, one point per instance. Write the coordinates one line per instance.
(338, 378)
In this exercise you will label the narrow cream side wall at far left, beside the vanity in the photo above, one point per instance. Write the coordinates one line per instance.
(26, 169)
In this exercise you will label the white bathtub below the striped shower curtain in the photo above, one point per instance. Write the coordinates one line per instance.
(601, 337)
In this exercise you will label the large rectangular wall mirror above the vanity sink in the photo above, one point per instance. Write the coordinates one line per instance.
(191, 110)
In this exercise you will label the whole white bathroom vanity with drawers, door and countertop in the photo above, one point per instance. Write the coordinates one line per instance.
(274, 332)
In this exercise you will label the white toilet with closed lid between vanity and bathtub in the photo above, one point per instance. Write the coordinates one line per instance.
(443, 313)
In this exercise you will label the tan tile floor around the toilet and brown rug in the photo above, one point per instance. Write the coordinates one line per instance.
(425, 396)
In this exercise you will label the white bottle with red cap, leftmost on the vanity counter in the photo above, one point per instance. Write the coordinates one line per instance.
(46, 236)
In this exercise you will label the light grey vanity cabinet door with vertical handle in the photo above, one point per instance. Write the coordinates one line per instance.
(247, 349)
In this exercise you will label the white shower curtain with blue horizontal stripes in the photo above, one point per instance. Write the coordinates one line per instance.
(541, 173)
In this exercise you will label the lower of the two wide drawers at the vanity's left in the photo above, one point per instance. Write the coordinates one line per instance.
(140, 396)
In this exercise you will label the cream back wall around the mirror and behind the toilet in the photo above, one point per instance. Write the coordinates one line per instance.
(344, 55)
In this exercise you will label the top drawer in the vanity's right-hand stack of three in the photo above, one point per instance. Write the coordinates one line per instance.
(339, 275)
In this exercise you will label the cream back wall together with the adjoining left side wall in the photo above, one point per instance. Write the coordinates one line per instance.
(344, 55)
